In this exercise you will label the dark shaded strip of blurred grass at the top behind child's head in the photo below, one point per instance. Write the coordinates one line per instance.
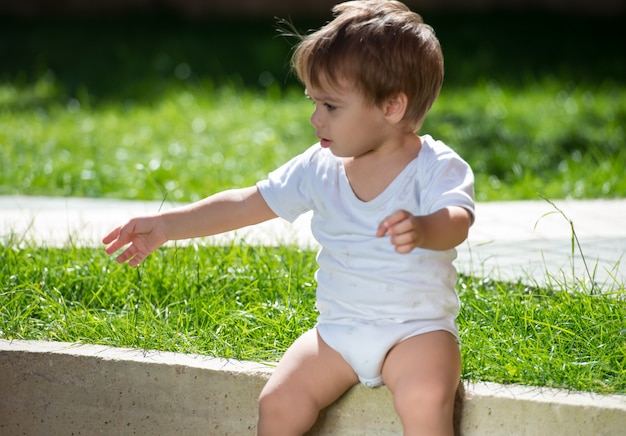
(137, 57)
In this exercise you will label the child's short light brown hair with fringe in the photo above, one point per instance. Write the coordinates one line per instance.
(379, 46)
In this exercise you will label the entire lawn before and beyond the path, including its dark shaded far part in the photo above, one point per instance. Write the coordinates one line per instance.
(156, 108)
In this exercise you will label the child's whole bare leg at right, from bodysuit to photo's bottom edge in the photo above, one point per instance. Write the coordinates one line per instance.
(423, 373)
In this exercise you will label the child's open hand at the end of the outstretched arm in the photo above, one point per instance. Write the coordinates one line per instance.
(144, 234)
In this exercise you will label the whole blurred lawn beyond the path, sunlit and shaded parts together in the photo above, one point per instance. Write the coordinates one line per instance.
(152, 105)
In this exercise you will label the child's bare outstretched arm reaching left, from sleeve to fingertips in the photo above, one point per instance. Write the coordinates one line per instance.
(228, 210)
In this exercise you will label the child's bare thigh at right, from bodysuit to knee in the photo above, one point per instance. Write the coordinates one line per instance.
(430, 361)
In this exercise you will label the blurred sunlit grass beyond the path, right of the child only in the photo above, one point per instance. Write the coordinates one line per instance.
(551, 140)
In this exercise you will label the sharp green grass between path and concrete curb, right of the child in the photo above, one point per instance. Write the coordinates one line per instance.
(543, 337)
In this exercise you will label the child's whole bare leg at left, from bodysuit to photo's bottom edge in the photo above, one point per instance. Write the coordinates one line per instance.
(309, 377)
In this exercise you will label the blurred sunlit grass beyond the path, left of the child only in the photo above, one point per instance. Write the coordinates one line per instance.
(186, 145)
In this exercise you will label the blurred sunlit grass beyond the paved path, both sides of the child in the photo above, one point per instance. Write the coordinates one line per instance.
(546, 141)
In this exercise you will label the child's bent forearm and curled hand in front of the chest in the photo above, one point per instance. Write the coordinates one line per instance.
(442, 230)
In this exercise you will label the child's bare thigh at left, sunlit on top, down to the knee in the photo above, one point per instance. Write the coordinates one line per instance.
(311, 369)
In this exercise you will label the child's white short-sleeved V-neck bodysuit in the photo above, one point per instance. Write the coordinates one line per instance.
(370, 297)
